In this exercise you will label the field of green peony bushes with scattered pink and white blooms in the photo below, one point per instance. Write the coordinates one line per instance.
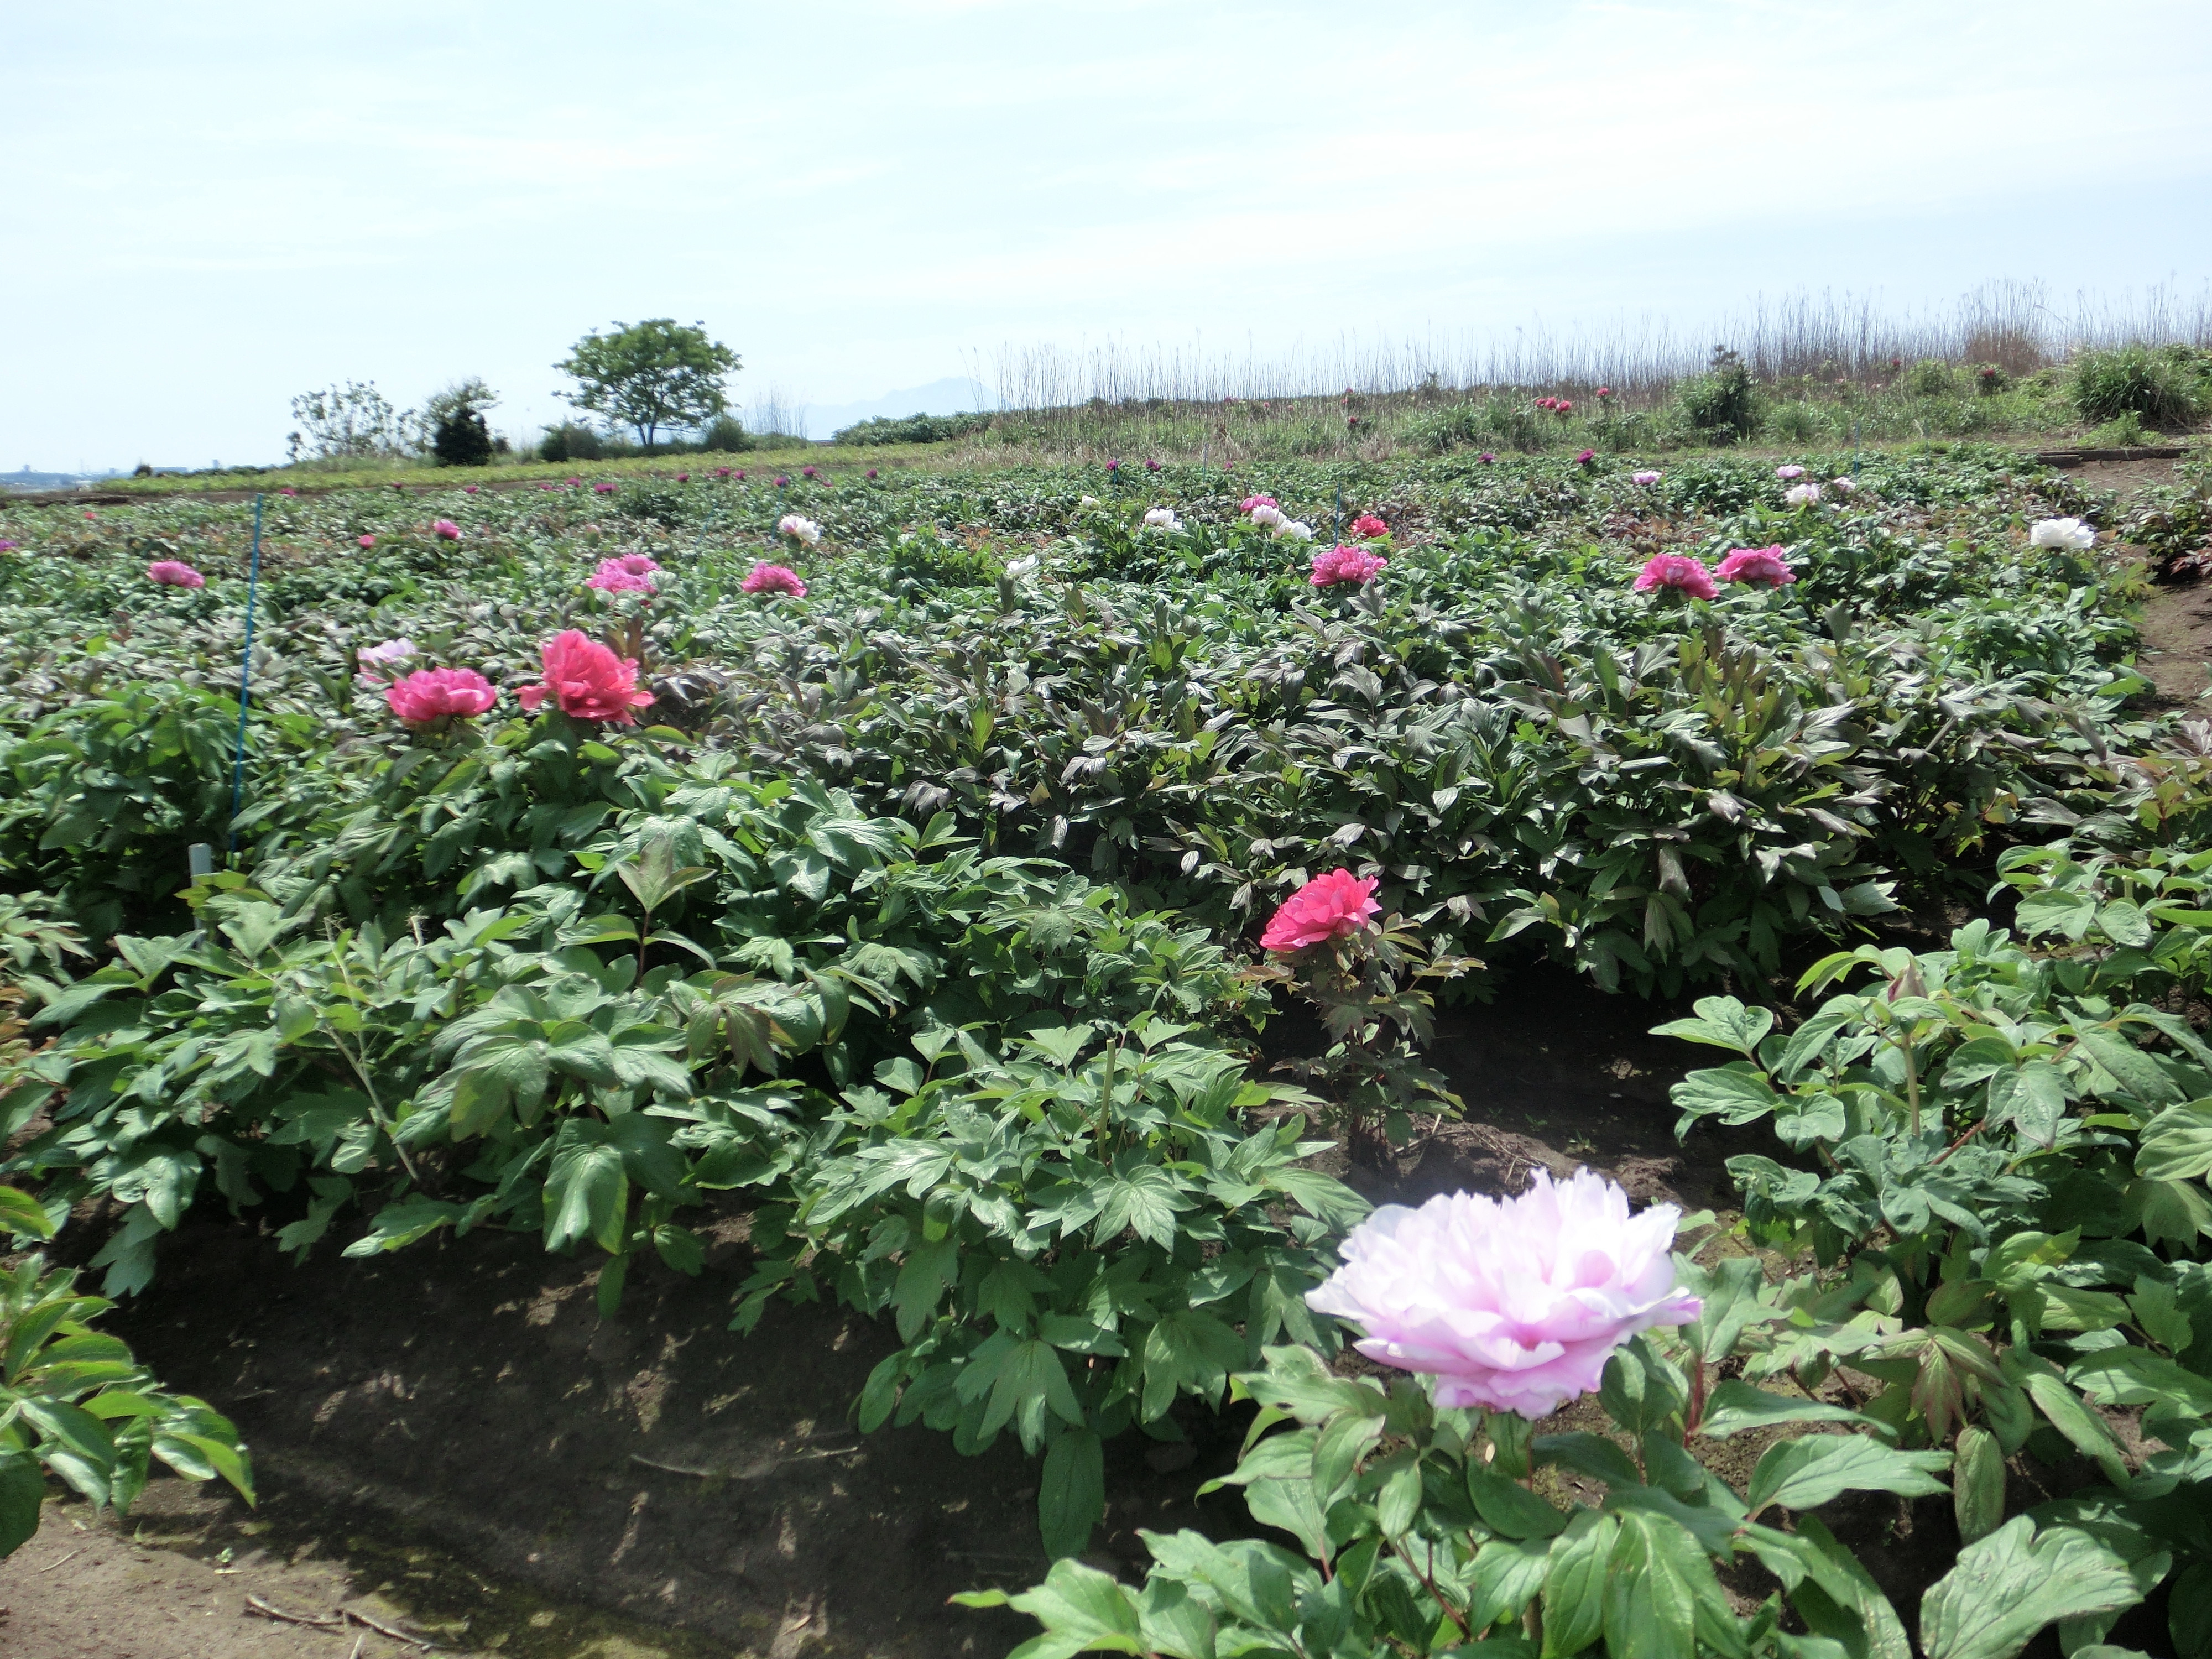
(1492, 1056)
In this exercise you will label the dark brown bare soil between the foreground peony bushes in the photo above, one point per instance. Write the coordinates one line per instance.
(455, 1441)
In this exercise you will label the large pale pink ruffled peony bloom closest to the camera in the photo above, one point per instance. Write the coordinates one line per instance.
(1510, 1304)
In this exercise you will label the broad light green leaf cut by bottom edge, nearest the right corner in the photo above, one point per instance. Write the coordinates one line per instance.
(2012, 1585)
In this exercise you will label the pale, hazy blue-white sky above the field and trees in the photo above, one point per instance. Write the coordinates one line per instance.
(218, 207)
